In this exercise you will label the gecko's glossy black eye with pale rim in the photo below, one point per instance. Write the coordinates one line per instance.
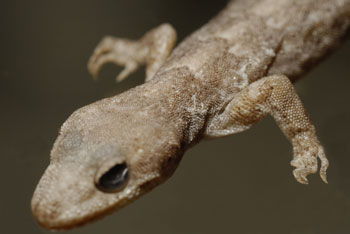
(114, 179)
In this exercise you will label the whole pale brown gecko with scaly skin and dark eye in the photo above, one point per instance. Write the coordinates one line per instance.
(221, 80)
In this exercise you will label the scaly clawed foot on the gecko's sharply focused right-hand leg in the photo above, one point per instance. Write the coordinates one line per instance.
(305, 160)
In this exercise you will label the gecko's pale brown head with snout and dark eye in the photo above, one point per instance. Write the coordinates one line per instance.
(94, 171)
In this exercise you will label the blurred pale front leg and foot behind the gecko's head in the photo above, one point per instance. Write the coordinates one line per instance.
(152, 49)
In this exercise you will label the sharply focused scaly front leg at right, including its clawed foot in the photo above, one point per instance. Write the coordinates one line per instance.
(275, 95)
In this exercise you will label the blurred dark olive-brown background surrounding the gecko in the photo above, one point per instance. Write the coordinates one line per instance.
(239, 184)
